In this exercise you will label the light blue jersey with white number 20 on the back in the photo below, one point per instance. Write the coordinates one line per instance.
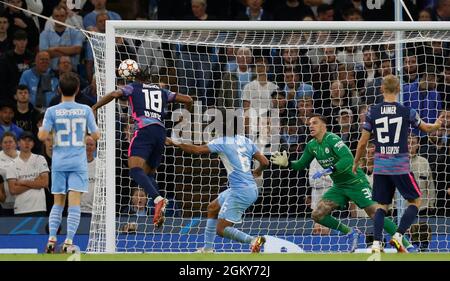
(69, 121)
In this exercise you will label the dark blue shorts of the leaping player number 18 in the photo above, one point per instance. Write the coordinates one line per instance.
(148, 143)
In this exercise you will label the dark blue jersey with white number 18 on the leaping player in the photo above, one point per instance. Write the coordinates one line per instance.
(148, 103)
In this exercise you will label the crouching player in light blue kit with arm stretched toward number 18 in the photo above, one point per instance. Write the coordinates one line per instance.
(236, 154)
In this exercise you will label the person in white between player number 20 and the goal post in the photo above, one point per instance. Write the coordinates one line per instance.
(87, 199)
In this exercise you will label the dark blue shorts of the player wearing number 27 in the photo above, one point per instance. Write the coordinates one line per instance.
(384, 187)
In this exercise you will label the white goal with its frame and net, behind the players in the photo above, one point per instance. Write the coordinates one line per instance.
(279, 74)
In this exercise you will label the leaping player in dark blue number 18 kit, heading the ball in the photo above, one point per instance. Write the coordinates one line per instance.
(148, 103)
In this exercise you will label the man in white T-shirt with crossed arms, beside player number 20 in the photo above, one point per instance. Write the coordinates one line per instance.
(27, 179)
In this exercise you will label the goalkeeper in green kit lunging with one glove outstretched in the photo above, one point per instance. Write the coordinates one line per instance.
(336, 160)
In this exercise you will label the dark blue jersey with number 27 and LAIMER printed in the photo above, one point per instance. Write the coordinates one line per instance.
(390, 123)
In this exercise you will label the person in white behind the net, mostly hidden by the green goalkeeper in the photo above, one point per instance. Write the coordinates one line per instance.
(318, 188)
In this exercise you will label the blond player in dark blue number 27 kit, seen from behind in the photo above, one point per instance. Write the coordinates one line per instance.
(390, 122)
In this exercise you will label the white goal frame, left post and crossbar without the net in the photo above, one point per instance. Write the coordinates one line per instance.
(110, 79)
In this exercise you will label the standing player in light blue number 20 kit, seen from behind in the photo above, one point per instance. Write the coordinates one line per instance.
(68, 121)
